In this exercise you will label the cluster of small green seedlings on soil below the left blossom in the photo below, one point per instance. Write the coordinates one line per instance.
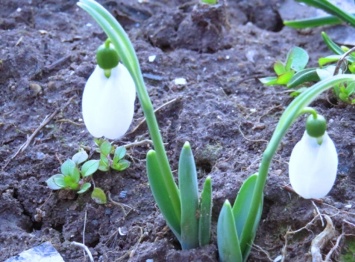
(77, 172)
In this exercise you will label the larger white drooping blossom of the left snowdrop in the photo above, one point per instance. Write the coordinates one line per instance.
(108, 103)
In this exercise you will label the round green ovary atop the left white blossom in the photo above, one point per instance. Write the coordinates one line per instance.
(106, 56)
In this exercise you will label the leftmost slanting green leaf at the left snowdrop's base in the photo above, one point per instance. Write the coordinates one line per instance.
(167, 199)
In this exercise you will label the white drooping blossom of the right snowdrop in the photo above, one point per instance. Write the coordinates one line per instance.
(313, 167)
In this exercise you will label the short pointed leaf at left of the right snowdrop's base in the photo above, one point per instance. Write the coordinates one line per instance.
(227, 237)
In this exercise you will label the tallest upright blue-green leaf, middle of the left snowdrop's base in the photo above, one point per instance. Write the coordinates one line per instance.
(189, 198)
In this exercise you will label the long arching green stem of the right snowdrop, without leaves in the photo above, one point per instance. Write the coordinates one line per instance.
(286, 120)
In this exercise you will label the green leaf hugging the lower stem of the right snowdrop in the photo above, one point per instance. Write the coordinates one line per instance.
(241, 209)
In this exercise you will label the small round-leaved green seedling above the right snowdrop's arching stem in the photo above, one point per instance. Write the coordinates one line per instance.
(296, 61)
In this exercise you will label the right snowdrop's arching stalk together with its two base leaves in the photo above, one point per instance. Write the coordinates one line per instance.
(252, 189)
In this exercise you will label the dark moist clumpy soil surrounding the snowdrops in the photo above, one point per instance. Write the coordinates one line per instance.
(47, 51)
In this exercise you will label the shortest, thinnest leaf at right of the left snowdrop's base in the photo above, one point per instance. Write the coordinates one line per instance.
(205, 213)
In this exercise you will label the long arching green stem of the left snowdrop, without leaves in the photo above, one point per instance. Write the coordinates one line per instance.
(128, 56)
